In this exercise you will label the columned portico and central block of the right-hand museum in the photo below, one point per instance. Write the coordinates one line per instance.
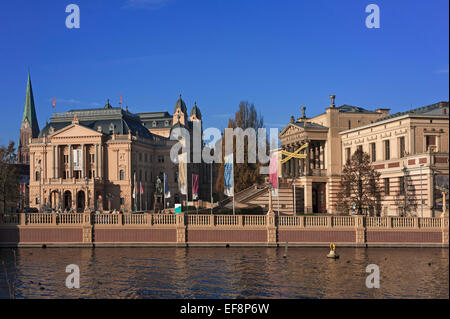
(316, 177)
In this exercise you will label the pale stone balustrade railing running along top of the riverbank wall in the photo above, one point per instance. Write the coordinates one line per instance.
(207, 220)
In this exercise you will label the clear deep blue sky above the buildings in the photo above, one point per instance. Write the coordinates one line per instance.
(278, 55)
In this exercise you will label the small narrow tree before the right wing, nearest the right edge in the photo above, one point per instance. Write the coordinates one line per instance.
(405, 198)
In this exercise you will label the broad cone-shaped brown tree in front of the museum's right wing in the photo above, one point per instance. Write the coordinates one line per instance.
(359, 186)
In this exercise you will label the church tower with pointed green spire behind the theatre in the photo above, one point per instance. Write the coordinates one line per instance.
(29, 128)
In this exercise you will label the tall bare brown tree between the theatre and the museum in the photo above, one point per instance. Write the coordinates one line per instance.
(245, 174)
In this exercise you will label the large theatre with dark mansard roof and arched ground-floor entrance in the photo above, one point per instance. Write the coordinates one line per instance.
(93, 158)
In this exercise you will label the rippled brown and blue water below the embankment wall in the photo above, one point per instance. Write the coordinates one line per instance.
(227, 273)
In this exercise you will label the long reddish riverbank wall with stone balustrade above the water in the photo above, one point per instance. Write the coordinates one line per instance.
(181, 230)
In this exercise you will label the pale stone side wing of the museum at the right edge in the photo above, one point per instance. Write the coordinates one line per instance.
(410, 150)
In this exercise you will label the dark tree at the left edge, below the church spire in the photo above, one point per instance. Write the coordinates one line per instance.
(9, 175)
